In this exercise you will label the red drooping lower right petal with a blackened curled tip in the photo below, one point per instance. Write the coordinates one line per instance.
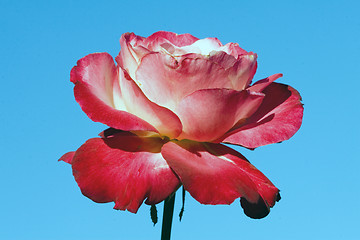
(216, 174)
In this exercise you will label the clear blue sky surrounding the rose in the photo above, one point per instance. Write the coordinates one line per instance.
(314, 43)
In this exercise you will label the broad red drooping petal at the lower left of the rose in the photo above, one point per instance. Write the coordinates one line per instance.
(123, 168)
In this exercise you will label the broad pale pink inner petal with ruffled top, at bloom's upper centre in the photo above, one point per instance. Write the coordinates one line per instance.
(165, 80)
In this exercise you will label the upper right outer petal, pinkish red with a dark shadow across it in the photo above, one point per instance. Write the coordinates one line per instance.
(277, 119)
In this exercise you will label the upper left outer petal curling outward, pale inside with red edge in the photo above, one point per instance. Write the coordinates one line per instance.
(98, 94)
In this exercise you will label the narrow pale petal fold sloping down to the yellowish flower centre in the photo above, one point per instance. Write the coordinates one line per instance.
(164, 120)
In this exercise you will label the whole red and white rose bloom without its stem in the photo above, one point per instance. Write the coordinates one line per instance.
(170, 102)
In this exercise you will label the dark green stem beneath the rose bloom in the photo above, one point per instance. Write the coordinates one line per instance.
(167, 217)
